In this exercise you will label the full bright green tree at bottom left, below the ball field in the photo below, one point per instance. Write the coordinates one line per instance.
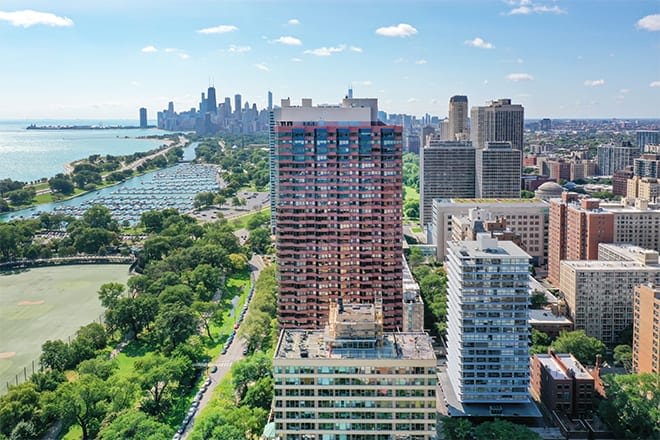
(84, 402)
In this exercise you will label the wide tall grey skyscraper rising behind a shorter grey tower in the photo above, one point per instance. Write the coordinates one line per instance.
(500, 121)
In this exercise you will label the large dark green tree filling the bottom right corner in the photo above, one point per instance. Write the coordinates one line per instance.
(632, 408)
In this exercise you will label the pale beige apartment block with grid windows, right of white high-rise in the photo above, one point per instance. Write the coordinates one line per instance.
(599, 293)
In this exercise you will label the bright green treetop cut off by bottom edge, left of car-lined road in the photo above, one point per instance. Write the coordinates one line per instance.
(135, 425)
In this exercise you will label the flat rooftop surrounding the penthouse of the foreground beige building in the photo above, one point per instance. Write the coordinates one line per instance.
(315, 344)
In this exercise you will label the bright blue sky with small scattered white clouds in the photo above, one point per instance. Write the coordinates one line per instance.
(106, 58)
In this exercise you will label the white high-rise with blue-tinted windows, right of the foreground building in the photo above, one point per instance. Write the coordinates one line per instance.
(487, 325)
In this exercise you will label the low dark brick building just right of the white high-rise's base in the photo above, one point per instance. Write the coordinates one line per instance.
(562, 383)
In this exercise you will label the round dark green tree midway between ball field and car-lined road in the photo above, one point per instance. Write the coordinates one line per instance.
(174, 324)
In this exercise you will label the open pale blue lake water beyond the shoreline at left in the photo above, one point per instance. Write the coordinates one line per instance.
(28, 155)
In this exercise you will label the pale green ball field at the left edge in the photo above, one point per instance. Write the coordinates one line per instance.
(47, 303)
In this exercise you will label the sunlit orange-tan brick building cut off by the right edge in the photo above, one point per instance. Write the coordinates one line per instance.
(646, 329)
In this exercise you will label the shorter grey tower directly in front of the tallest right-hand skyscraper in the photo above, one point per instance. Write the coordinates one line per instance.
(498, 171)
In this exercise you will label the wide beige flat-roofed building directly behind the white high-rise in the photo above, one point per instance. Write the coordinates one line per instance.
(527, 218)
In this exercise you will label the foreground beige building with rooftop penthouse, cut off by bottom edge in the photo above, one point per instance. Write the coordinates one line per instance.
(353, 381)
